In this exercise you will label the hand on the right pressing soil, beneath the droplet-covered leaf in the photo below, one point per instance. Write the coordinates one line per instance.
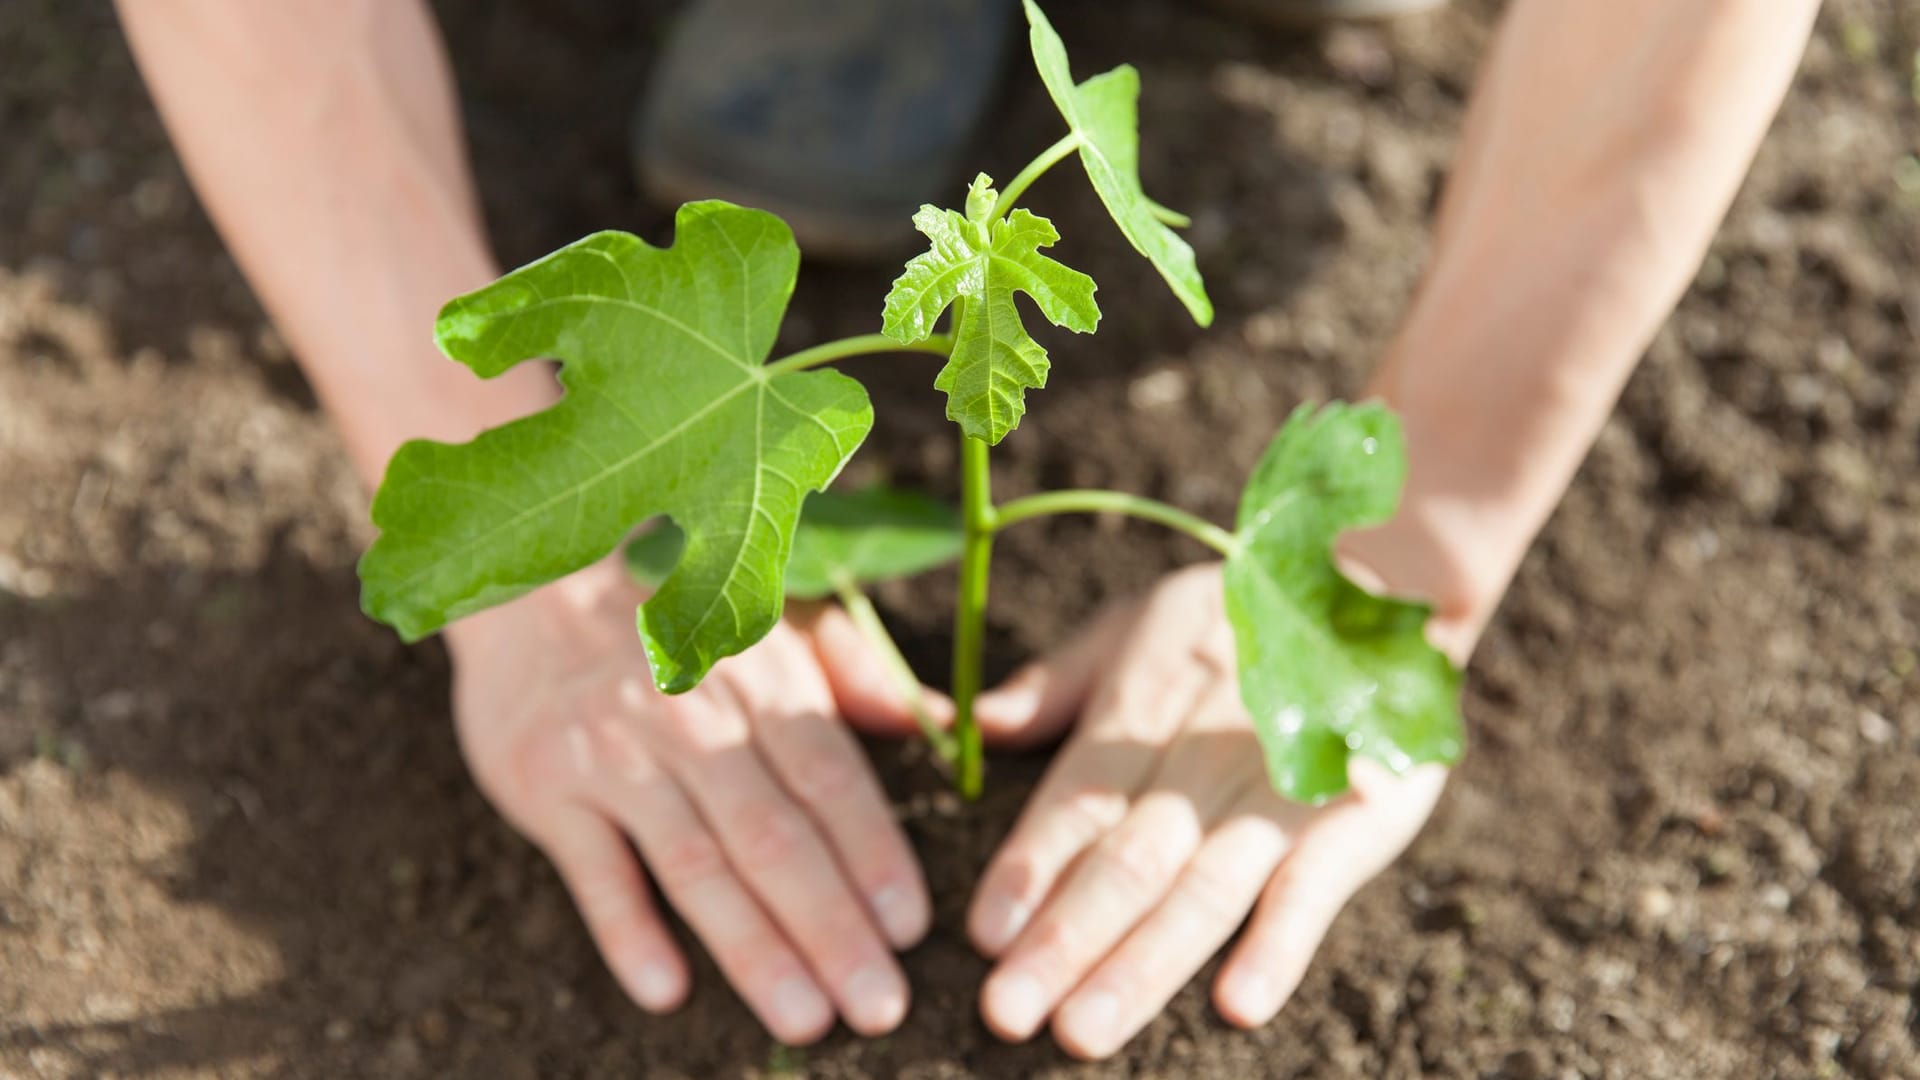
(1157, 833)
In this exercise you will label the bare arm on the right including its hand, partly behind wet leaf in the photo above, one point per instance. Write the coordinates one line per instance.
(1602, 151)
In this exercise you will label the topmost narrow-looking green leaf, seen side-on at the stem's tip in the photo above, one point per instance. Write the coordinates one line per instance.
(1105, 114)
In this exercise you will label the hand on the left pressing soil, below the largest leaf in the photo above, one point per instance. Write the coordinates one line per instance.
(748, 800)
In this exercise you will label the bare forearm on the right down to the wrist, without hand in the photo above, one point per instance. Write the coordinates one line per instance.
(1600, 155)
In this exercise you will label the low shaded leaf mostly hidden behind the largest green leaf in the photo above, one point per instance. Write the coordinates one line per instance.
(852, 539)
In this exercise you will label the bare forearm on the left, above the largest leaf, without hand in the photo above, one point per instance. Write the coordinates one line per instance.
(325, 141)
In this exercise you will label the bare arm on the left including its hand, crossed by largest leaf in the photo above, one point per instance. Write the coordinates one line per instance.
(324, 137)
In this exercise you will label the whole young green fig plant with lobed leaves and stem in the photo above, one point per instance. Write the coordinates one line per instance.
(673, 410)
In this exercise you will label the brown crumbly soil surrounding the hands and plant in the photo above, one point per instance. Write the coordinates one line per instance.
(237, 839)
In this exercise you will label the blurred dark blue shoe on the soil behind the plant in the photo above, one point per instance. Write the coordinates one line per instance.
(842, 116)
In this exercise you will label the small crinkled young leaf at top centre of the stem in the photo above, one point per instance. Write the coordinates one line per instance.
(984, 264)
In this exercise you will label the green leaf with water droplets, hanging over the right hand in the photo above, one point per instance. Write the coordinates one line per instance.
(1330, 670)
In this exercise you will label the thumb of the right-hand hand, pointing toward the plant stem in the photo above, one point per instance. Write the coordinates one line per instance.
(1040, 700)
